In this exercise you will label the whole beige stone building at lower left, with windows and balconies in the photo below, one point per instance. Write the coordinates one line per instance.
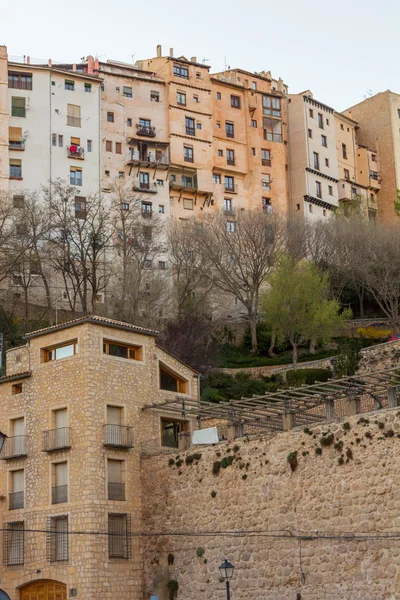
(71, 462)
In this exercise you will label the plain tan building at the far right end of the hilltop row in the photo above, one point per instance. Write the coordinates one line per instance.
(379, 120)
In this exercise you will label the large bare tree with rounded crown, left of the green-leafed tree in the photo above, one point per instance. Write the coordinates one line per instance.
(241, 252)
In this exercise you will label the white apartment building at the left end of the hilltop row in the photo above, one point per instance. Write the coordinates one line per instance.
(53, 127)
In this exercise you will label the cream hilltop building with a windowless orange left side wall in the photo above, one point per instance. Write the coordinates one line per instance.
(314, 172)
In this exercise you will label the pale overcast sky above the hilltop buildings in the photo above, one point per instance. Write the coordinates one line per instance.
(341, 50)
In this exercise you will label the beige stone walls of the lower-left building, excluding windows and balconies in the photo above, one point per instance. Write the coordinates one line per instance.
(84, 384)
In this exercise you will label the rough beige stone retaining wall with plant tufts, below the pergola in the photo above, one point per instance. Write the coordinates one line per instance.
(290, 535)
